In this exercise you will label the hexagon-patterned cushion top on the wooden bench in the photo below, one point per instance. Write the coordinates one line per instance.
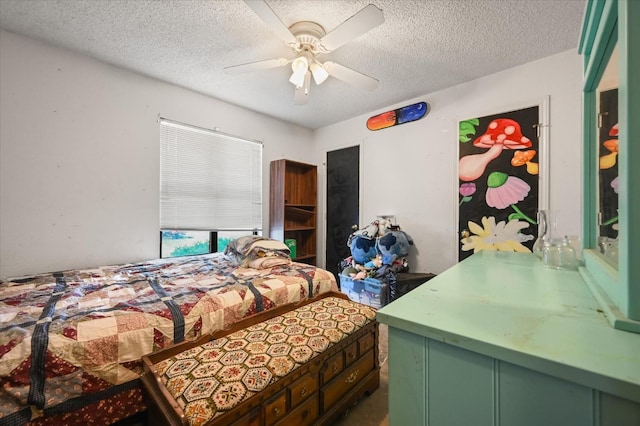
(215, 377)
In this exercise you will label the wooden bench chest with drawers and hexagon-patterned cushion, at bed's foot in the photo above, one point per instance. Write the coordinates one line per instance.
(297, 365)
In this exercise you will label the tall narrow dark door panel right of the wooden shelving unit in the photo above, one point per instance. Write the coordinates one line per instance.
(343, 202)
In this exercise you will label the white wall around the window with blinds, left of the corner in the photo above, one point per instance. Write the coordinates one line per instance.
(79, 156)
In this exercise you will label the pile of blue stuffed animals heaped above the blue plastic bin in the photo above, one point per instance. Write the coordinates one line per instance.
(378, 249)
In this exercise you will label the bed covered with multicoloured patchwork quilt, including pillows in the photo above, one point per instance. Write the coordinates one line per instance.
(71, 341)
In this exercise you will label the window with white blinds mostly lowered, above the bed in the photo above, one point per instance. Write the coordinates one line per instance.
(210, 189)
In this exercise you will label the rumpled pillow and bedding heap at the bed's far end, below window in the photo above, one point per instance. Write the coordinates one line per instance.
(254, 251)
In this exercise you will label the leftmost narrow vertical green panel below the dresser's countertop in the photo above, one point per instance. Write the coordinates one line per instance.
(407, 384)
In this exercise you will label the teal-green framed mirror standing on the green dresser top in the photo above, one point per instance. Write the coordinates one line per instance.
(610, 43)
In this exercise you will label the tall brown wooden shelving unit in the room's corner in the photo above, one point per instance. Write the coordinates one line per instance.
(293, 206)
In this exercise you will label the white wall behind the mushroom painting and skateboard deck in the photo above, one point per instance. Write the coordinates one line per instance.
(411, 170)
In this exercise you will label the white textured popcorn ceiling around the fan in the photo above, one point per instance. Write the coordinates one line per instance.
(423, 46)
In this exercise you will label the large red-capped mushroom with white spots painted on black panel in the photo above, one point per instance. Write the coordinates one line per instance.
(502, 133)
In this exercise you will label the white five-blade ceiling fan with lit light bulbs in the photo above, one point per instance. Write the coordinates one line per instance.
(308, 40)
